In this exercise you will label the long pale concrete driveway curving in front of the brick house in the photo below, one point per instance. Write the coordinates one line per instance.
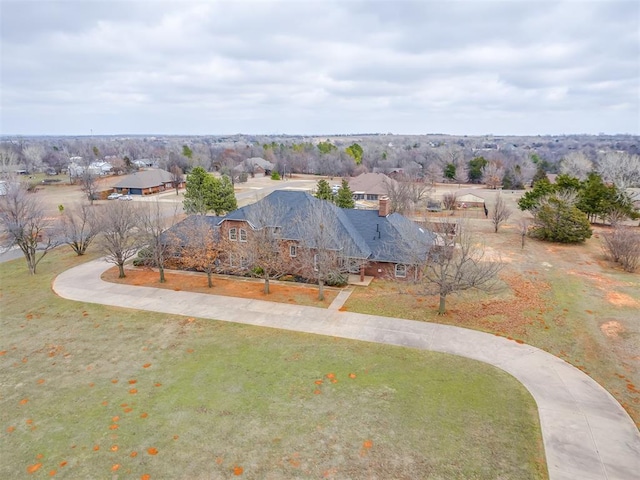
(587, 434)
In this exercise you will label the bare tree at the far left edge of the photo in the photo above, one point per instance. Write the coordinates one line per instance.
(24, 224)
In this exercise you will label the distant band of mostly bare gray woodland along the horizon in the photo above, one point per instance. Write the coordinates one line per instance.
(510, 162)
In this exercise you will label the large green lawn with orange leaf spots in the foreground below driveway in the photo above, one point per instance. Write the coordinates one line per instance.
(86, 386)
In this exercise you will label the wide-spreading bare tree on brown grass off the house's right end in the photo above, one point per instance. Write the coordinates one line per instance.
(459, 263)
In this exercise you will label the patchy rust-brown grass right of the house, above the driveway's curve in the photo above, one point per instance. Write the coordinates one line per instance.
(566, 299)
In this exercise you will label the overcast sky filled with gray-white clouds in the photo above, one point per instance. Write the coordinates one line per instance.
(319, 67)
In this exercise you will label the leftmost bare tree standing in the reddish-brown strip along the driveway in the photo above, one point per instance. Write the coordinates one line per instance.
(121, 236)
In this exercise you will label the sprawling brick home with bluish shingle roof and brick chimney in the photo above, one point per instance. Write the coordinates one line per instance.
(369, 242)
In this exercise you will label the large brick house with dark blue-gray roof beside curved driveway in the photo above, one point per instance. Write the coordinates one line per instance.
(365, 242)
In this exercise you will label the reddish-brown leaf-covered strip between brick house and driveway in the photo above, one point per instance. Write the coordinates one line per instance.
(281, 292)
